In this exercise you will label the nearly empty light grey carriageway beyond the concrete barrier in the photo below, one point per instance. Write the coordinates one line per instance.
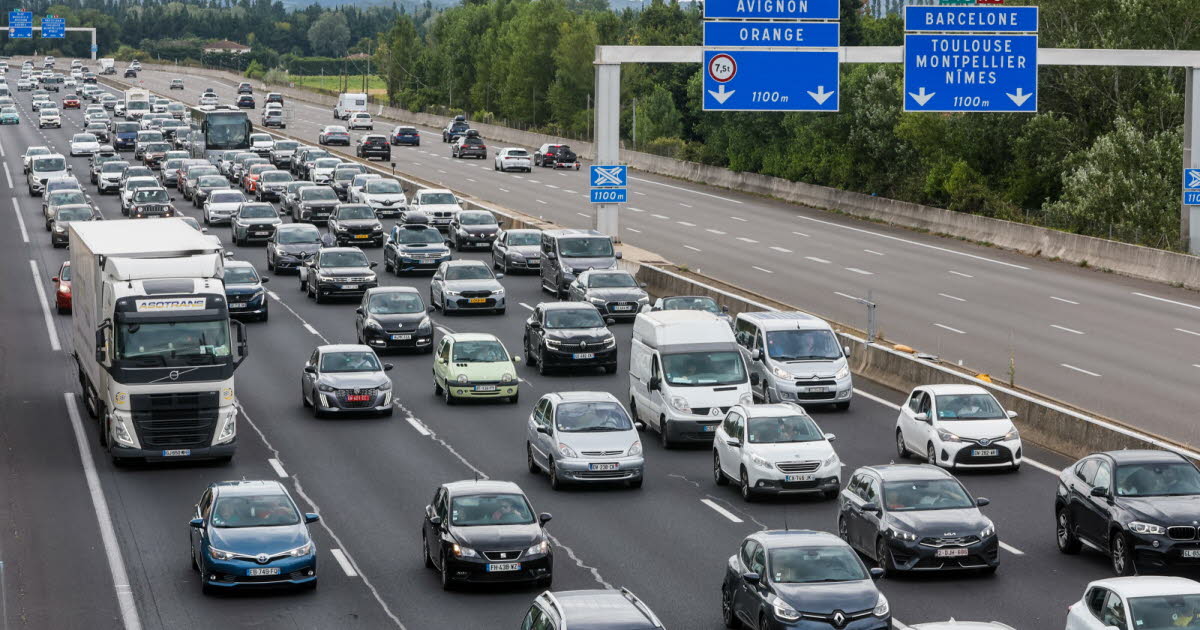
(1115, 346)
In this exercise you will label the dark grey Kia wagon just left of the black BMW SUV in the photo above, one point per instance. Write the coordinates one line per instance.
(916, 519)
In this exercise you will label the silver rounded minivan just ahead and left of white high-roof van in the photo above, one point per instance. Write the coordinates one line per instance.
(584, 437)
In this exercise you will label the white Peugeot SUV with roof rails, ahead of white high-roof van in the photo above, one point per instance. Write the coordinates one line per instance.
(776, 449)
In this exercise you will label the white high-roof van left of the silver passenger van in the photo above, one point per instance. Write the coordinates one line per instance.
(686, 371)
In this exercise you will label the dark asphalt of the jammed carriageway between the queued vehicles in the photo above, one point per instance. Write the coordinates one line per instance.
(371, 479)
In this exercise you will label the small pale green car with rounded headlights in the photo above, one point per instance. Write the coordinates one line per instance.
(475, 365)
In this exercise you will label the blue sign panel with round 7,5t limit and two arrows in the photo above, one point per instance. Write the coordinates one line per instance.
(771, 81)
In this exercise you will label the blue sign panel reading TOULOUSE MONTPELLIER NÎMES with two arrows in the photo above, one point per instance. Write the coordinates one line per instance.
(970, 73)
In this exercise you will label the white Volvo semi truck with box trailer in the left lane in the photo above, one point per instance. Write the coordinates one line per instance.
(153, 339)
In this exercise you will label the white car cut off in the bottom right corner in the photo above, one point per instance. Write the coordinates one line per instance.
(1139, 603)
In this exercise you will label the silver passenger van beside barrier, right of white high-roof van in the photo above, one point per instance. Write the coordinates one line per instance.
(795, 358)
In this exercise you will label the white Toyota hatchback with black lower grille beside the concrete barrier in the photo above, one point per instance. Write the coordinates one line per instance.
(958, 427)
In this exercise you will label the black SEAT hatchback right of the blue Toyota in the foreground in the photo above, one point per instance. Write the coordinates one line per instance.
(487, 532)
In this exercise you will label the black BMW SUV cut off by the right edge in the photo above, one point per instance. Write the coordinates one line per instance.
(1139, 506)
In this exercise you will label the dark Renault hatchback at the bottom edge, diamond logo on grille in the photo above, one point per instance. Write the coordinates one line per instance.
(801, 579)
